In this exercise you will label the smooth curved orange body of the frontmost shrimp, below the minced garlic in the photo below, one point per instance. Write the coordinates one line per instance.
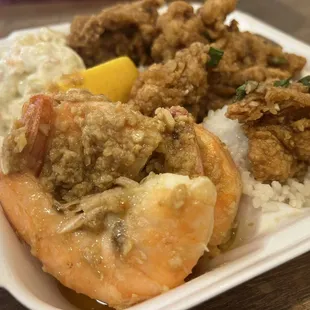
(159, 238)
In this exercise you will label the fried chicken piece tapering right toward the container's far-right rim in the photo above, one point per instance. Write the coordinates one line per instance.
(250, 57)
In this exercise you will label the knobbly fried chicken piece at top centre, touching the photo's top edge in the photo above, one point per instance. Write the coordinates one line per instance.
(180, 26)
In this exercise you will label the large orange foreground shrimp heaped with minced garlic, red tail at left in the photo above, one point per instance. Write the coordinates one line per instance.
(74, 187)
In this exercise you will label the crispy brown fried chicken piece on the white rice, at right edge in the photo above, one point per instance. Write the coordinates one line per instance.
(276, 120)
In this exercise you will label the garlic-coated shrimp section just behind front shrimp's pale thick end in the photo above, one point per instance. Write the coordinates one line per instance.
(178, 152)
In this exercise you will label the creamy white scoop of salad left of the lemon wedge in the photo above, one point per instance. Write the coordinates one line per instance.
(28, 65)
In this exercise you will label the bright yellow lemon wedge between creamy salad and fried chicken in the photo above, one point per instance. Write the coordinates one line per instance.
(113, 79)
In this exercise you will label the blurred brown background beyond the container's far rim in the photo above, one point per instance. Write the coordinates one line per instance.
(291, 16)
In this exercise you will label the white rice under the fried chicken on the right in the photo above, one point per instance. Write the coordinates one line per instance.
(292, 193)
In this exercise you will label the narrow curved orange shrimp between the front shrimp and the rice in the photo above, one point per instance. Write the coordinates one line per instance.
(221, 169)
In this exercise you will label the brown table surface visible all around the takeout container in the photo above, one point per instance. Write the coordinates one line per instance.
(286, 287)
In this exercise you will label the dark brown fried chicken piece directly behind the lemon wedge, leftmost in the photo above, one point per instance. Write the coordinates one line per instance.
(124, 29)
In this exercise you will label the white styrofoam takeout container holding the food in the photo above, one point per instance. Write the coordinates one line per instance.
(275, 237)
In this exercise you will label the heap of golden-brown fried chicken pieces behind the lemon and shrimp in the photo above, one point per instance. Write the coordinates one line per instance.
(172, 40)
